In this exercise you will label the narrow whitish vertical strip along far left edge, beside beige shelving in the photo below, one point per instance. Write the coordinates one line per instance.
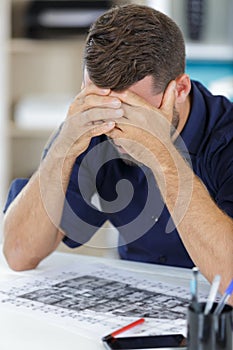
(4, 31)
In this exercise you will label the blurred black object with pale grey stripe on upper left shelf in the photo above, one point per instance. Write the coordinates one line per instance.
(62, 18)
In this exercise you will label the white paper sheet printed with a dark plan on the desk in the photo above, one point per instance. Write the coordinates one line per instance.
(95, 300)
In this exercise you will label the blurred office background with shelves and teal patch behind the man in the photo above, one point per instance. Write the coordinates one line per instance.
(40, 71)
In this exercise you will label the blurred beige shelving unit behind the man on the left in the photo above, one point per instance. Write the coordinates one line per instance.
(42, 67)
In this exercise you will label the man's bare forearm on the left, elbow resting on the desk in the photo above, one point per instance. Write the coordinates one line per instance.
(31, 224)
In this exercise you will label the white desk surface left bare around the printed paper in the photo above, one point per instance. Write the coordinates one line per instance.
(22, 332)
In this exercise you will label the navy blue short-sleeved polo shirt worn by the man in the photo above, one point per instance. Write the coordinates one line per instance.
(129, 196)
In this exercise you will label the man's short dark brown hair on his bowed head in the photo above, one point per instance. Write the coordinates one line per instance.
(130, 42)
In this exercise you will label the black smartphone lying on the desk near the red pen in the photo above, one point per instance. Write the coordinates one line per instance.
(176, 341)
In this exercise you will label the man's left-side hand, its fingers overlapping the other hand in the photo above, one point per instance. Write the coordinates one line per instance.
(92, 113)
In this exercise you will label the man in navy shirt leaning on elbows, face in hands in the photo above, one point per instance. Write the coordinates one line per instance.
(155, 146)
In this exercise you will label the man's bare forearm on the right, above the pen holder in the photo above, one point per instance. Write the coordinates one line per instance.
(205, 230)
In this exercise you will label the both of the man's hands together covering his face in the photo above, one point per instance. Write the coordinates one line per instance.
(134, 124)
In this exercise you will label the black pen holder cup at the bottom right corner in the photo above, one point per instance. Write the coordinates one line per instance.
(210, 332)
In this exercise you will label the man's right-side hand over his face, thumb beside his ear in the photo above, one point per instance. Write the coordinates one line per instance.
(143, 129)
